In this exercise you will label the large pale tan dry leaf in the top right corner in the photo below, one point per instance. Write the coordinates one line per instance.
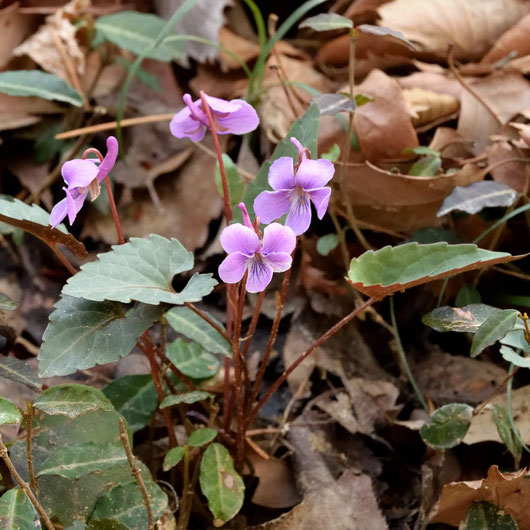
(471, 27)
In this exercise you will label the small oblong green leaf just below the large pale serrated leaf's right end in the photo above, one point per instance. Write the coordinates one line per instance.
(192, 326)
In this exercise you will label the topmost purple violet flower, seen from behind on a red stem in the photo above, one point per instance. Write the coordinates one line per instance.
(230, 117)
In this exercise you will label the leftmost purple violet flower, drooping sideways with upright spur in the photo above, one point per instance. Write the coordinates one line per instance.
(82, 176)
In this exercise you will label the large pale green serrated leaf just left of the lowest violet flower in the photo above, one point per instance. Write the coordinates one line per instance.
(141, 270)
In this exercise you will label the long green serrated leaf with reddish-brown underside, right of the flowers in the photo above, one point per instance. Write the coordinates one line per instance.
(391, 269)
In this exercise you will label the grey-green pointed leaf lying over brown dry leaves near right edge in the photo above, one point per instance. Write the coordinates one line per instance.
(477, 196)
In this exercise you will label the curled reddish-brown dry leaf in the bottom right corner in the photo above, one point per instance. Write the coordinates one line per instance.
(509, 491)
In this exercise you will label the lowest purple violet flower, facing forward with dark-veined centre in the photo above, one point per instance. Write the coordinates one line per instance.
(247, 251)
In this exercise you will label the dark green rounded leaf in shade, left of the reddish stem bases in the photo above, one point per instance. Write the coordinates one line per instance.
(134, 397)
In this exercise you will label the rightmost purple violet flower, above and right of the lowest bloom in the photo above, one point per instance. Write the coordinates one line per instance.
(294, 191)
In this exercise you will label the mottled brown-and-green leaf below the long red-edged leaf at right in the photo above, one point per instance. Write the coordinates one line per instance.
(467, 319)
